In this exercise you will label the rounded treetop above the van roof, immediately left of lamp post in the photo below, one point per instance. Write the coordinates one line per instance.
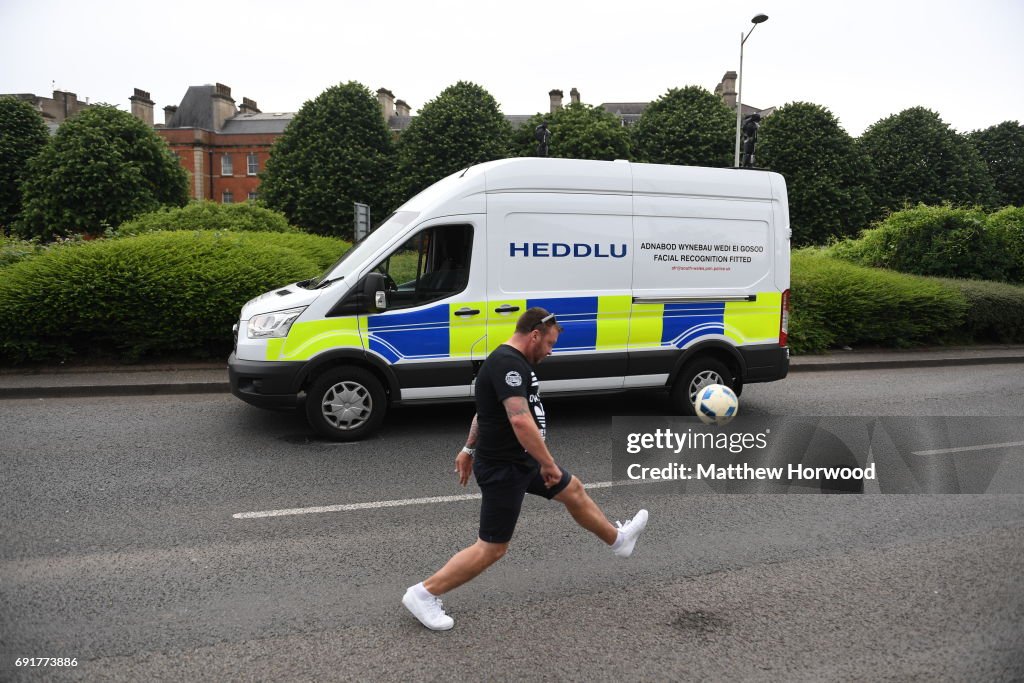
(687, 126)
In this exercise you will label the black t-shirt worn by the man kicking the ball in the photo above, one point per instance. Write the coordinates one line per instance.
(506, 373)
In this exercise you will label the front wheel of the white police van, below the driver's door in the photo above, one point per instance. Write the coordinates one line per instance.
(346, 404)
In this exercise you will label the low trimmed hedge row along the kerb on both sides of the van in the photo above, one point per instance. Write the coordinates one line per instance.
(180, 293)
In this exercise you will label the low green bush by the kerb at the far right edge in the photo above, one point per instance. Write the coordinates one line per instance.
(995, 313)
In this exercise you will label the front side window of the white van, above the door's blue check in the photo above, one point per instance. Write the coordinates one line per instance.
(432, 266)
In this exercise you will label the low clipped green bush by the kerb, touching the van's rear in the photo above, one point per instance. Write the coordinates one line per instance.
(837, 304)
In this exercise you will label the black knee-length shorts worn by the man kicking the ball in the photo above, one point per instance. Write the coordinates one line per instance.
(504, 486)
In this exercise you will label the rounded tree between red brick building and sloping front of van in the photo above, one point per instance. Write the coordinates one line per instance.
(337, 151)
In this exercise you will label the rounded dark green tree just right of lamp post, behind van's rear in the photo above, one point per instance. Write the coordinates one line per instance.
(828, 176)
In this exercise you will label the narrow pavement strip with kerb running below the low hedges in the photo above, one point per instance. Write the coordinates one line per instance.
(184, 378)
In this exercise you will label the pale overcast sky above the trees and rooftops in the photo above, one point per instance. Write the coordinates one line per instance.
(864, 61)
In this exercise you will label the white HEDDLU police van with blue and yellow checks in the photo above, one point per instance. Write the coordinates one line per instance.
(663, 278)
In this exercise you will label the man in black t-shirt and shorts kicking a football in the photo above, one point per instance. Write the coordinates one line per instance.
(507, 454)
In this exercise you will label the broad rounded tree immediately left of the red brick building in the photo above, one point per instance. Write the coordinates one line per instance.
(103, 167)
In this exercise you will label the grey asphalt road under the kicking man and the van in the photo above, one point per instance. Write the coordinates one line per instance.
(122, 548)
